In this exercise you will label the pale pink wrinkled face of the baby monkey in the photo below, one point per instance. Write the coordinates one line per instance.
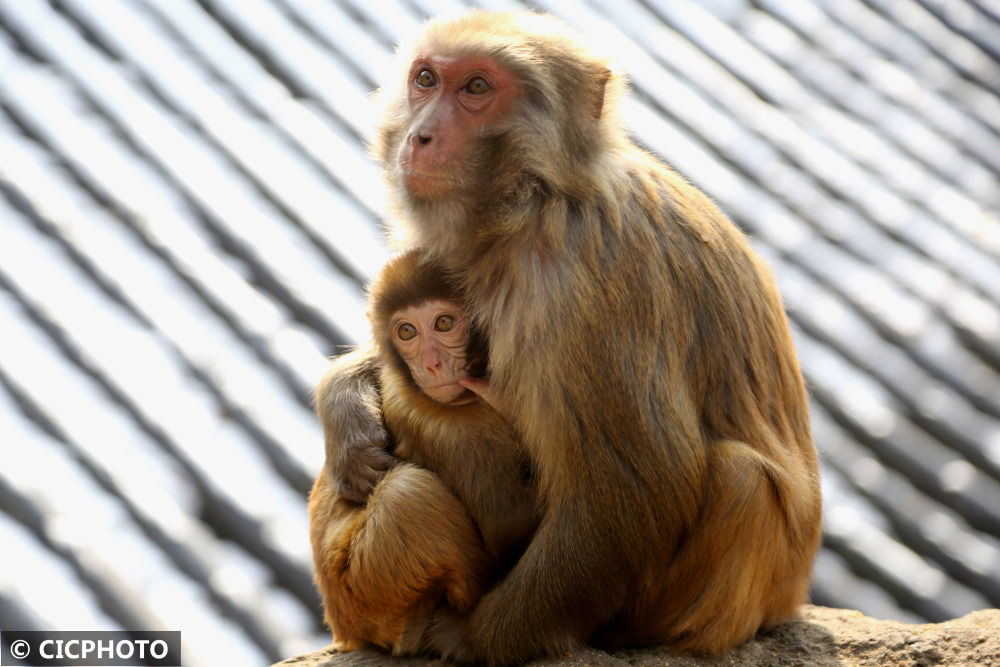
(432, 339)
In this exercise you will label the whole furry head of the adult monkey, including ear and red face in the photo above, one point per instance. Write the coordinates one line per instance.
(475, 115)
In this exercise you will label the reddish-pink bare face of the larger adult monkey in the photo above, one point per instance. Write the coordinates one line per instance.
(454, 102)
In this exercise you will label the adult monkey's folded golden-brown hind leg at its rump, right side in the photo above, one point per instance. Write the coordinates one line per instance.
(747, 563)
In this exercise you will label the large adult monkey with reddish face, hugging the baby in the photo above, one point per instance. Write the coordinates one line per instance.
(640, 346)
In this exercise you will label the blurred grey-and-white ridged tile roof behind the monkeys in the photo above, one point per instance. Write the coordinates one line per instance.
(188, 218)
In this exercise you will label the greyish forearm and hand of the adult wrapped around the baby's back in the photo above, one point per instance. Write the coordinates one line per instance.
(350, 410)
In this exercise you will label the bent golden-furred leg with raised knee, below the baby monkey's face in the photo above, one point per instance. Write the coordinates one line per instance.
(382, 569)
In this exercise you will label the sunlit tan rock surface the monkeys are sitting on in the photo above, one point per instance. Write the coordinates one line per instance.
(820, 637)
